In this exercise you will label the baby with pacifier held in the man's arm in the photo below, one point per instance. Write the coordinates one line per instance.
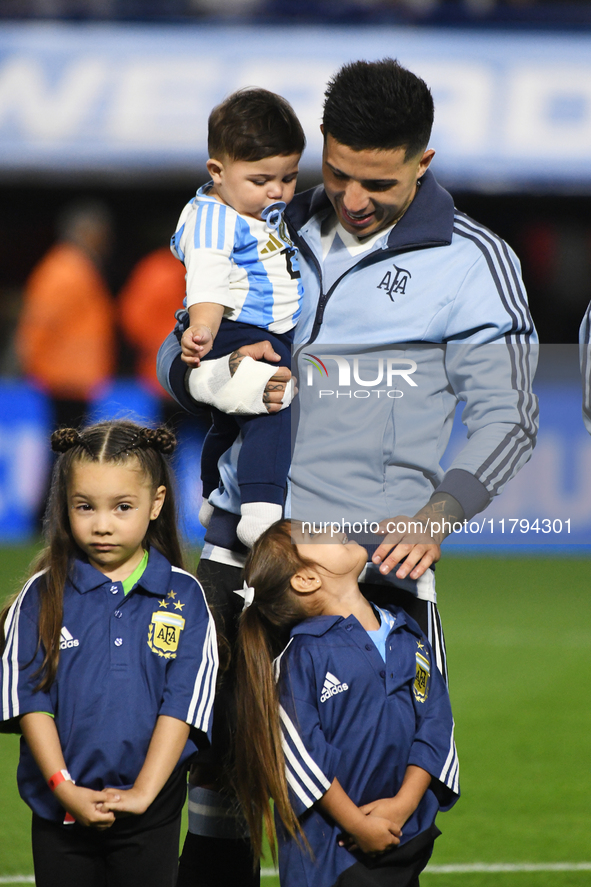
(243, 278)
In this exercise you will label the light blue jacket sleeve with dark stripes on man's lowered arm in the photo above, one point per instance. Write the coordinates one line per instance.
(493, 374)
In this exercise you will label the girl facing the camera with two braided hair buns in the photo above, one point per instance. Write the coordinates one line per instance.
(108, 665)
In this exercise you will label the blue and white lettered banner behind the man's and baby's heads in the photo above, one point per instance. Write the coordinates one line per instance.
(511, 108)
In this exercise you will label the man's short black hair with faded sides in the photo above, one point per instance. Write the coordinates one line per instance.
(378, 105)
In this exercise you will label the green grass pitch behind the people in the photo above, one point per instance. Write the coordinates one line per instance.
(518, 634)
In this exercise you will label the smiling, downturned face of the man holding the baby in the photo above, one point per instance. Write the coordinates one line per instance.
(372, 188)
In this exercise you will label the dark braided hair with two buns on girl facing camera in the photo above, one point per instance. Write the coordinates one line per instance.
(118, 442)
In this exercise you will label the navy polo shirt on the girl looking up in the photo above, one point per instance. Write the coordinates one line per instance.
(347, 714)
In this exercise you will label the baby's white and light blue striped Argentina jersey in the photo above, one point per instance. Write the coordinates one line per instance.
(239, 262)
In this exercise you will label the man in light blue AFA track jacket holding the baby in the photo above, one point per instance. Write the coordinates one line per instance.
(391, 272)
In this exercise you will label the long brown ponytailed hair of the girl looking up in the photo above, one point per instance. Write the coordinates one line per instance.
(262, 635)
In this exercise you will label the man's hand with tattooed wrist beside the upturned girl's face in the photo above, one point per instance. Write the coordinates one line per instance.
(418, 538)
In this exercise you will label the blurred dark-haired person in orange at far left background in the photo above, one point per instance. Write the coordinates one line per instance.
(65, 338)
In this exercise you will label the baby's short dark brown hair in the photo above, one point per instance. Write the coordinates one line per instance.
(252, 124)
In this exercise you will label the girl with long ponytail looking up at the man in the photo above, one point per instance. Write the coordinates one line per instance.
(343, 719)
